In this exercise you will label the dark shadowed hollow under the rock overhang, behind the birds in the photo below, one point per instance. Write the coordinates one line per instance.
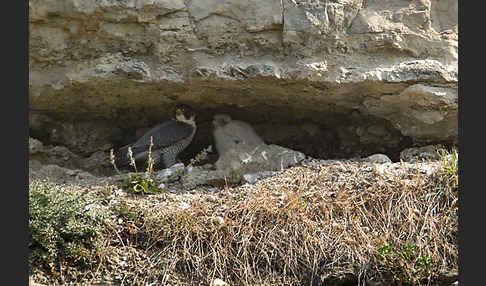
(319, 135)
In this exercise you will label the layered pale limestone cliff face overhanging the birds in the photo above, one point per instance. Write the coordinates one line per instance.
(328, 78)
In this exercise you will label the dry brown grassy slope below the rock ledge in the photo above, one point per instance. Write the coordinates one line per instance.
(309, 225)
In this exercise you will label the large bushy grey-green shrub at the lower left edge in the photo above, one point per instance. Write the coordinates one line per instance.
(62, 229)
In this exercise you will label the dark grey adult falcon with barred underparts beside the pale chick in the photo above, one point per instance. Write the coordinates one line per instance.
(169, 139)
